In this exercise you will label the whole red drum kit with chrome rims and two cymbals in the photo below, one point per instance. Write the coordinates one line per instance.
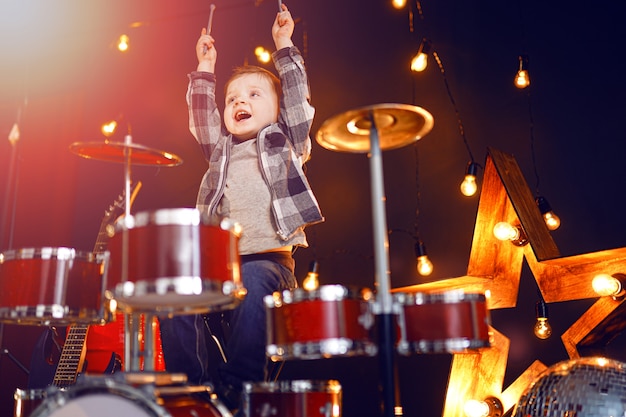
(176, 261)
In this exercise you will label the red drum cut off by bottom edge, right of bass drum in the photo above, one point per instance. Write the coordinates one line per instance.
(292, 398)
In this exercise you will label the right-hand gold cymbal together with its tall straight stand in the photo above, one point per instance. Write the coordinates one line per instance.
(399, 125)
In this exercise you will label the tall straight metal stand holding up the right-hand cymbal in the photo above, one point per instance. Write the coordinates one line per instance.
(384, 303)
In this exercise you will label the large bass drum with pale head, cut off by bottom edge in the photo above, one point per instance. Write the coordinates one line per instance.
(106, 397)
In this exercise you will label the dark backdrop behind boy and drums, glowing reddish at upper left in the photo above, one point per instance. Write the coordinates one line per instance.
(61, 78)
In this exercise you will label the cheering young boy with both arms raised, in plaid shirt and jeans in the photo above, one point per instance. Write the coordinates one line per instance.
(256, 178)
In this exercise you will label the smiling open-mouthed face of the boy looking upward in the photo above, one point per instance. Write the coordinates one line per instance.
(251, 104)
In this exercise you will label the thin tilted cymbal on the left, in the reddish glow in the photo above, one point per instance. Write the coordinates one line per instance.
(117, 152)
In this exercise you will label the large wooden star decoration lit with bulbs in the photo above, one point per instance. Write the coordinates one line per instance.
(495, 269)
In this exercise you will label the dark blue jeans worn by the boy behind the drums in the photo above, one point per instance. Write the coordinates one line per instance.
(184, 338)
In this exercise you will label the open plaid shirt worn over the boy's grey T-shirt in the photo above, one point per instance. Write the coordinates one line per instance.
(283, 147)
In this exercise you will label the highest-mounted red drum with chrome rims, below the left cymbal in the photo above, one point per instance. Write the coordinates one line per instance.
(177, 263)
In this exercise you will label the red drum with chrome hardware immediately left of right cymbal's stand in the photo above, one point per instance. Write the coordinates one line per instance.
(330, 321)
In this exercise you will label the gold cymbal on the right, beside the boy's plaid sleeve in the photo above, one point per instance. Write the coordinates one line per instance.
(397, 124)
